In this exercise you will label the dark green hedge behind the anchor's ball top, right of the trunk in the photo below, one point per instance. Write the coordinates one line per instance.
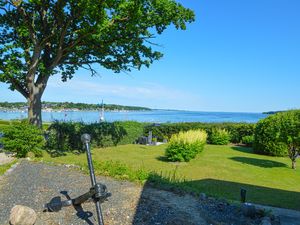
(65, 136)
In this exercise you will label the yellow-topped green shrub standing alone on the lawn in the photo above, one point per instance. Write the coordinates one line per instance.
(185, 145)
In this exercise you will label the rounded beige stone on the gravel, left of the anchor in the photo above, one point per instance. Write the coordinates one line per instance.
(22, 215)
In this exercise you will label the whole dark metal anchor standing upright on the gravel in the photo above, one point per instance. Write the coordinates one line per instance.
(98, 192)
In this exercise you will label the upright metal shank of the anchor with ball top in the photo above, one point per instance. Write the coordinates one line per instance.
(86, 139)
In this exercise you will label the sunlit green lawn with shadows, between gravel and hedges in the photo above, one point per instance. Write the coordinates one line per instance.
(219, 171)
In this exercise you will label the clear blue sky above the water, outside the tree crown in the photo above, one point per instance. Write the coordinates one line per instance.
(239, 56)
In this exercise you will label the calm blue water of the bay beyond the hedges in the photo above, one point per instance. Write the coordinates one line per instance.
(158, 116)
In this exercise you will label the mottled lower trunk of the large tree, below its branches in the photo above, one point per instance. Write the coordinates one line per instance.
(35, 108)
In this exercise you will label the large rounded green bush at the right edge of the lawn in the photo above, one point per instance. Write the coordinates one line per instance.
(277, 134)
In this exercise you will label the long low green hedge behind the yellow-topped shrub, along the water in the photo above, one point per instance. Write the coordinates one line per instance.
(237, 130)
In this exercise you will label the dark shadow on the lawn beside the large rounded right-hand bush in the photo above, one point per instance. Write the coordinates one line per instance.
(265, 163)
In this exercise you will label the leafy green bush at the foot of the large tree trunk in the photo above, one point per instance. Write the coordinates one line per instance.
(22, 138)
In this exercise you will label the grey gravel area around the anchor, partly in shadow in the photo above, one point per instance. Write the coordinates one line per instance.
(34, 184)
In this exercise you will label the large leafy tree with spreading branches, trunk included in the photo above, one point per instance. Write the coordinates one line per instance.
(41, 38)
